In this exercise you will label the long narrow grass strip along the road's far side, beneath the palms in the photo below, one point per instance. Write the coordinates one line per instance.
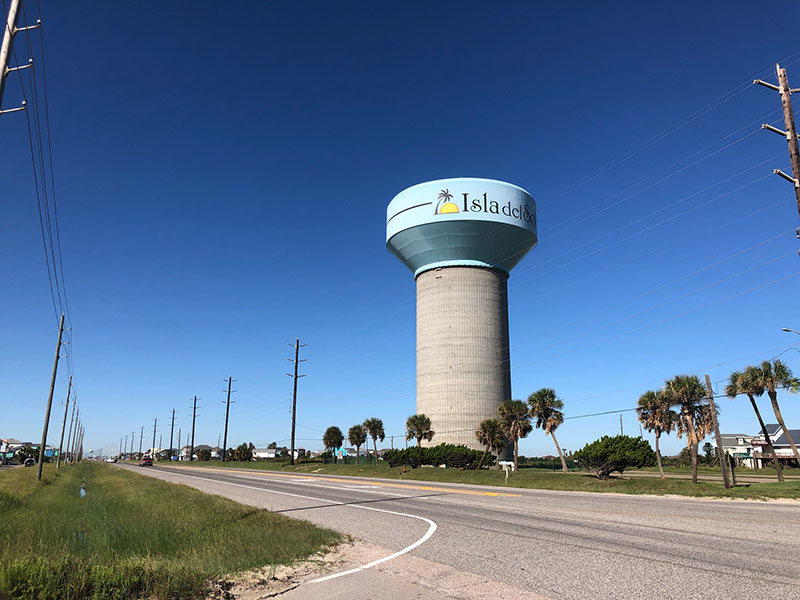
(535, 479)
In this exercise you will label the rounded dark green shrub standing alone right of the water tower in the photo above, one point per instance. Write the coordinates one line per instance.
(617, 453)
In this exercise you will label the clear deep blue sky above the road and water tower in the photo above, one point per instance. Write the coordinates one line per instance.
(223, 175)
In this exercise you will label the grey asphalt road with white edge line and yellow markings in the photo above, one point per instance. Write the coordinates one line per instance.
(481, 542)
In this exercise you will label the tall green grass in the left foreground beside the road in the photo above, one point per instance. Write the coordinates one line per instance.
(132, 536)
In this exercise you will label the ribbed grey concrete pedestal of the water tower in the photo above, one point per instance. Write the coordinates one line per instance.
(463, 360)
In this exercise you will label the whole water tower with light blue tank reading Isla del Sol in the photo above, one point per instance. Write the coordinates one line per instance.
(461, 237)
